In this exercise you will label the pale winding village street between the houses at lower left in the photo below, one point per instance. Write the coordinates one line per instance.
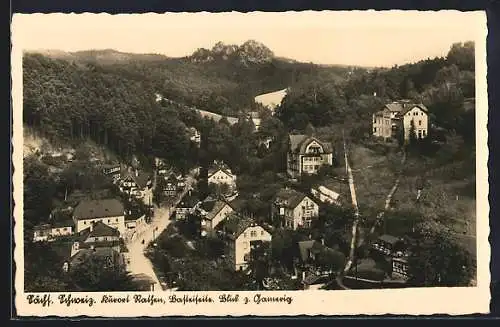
(138, 263)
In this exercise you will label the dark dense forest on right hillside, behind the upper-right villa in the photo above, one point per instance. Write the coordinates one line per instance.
(441, 84)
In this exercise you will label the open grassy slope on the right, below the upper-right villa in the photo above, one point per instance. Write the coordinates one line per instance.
(447, 199)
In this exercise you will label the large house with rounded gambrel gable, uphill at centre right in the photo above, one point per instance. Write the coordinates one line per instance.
(306, 154)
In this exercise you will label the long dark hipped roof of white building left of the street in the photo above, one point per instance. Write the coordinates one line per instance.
(88, 209)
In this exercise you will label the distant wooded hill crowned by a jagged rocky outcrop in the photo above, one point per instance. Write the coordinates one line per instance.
(224, 79)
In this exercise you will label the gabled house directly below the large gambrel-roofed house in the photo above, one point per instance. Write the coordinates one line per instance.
(294, 209)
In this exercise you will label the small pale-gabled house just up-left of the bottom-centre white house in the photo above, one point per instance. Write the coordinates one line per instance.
(212, 212)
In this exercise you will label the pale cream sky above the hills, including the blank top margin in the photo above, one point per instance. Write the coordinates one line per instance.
(363, 38)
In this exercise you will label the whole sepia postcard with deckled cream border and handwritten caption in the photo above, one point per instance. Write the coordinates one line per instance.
(231, 164)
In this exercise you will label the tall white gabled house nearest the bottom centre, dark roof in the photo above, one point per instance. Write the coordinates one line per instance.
(242, 235)
